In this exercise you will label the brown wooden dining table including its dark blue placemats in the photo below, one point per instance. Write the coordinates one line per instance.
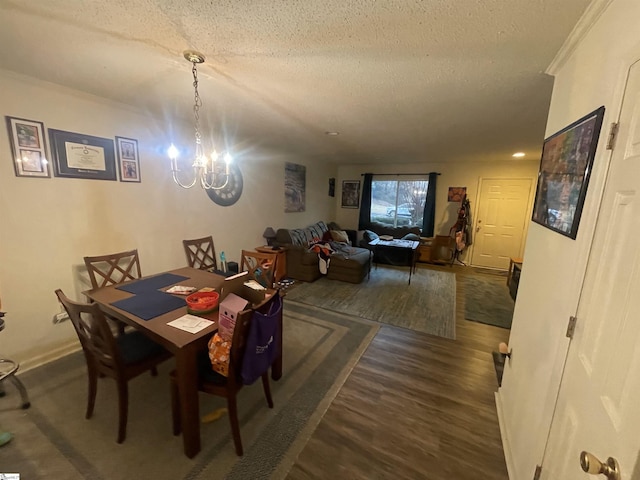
(145, 305)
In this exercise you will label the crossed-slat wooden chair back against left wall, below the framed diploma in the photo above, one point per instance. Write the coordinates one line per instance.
(114, 268)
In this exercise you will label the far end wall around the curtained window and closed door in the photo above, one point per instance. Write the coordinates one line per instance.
(451, 175)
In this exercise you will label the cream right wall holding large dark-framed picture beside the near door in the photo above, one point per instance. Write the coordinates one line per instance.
(554, 266)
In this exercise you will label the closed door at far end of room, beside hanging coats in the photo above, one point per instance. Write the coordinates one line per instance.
(503, 210)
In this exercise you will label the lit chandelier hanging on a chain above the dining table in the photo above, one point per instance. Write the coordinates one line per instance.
(210, 171)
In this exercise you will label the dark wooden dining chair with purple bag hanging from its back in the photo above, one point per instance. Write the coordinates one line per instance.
(213, 383)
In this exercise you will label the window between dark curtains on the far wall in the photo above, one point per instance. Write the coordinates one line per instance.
(398, 202)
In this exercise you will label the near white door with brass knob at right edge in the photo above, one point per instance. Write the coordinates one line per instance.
(598, 404)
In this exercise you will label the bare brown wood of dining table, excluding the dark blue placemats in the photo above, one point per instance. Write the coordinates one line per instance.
(182, 344)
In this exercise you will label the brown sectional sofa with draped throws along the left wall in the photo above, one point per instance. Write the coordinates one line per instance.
(347, 263)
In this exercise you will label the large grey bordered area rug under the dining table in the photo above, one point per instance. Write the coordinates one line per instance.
(53, 439)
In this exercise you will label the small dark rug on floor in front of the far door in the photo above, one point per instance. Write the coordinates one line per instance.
(487, 300)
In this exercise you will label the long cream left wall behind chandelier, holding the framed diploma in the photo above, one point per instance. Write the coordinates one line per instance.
(48, 224)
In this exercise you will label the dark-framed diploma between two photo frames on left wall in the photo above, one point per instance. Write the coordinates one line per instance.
(82, 156)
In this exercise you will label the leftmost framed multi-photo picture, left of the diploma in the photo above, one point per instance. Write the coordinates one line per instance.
(28, 147)
